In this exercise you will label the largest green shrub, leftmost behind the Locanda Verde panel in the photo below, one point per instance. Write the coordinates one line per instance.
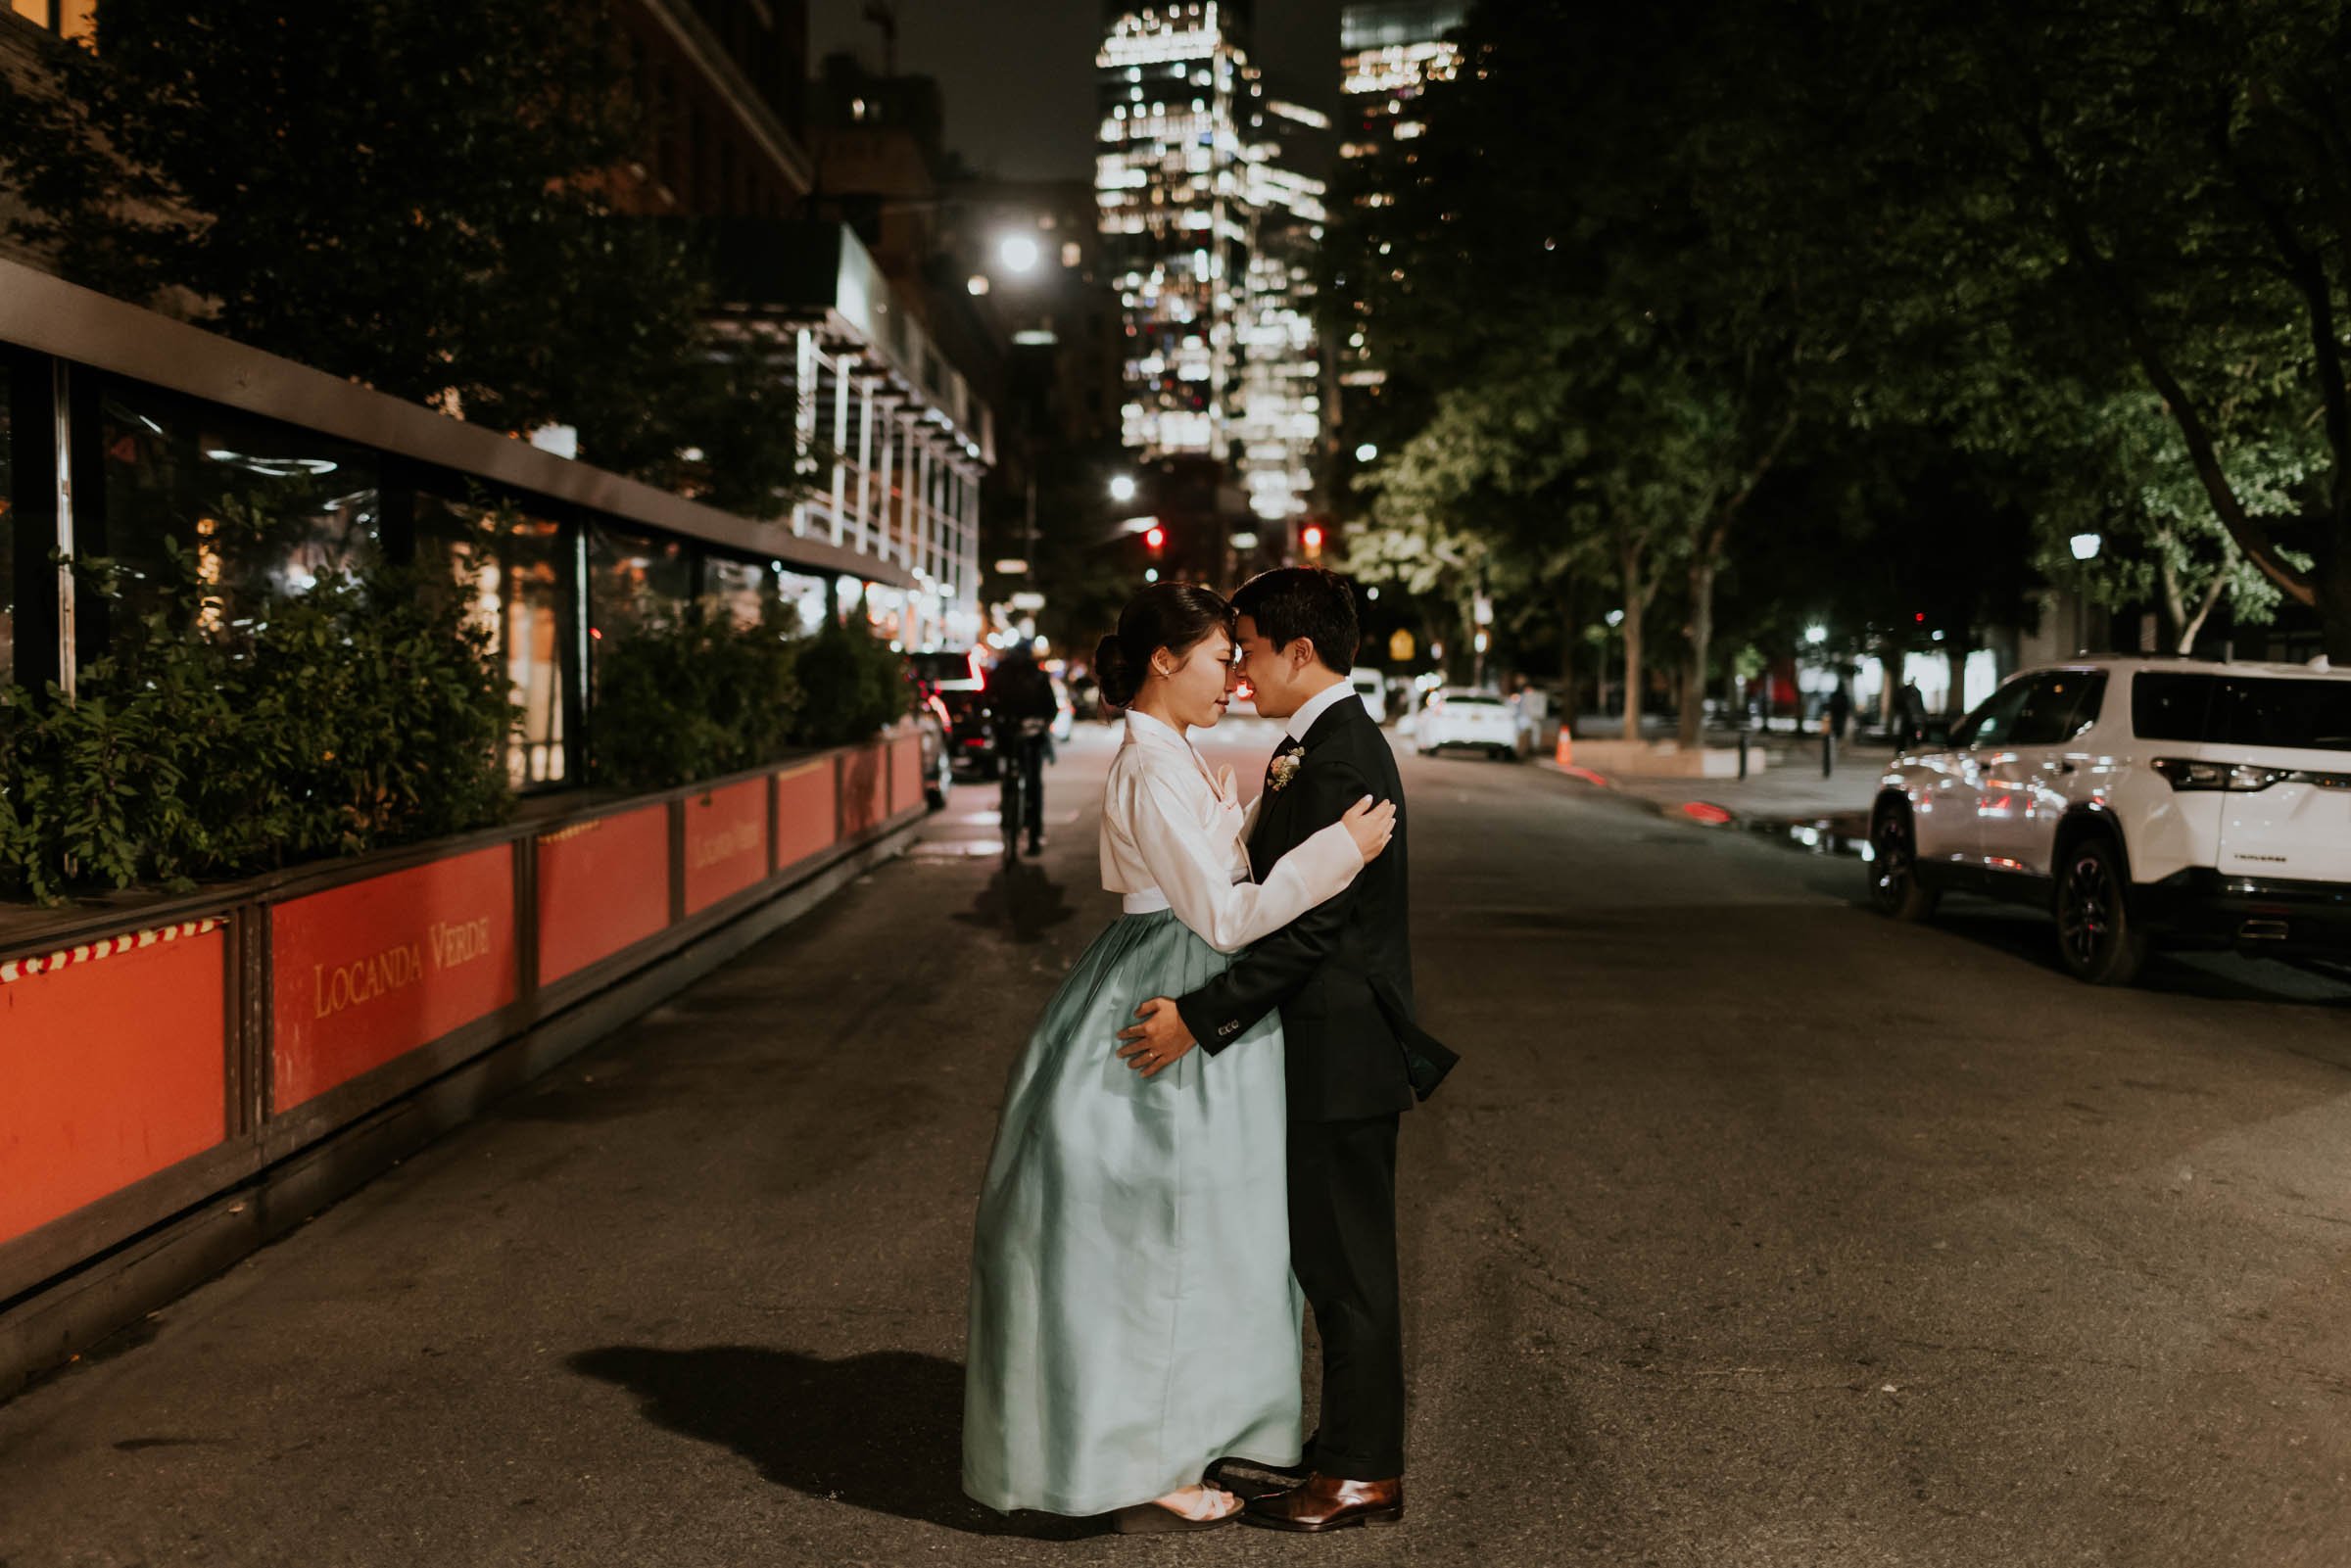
(361, 713)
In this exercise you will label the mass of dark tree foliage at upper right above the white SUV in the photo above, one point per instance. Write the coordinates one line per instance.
(1670, 290)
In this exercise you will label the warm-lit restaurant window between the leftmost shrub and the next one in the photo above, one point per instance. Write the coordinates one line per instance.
(521, 575)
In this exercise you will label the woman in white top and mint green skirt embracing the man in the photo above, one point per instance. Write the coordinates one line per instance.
(1132, 1301)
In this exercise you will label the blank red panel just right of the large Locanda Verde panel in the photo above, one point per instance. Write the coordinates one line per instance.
(603, 887)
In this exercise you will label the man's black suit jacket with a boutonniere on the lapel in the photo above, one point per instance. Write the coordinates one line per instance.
(1341, 972)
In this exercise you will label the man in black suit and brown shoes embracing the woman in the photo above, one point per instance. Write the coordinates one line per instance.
(1344, 981)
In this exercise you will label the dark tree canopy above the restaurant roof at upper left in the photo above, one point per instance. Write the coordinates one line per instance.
(408, 196)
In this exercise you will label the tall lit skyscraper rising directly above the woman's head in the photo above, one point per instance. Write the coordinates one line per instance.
(1172, 180)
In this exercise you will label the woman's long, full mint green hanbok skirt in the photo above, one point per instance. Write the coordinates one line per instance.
(1132, 1301)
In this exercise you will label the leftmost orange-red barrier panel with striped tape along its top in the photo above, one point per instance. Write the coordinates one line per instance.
(112, 1068)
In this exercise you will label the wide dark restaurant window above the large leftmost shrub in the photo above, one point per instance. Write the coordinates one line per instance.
(246, 507)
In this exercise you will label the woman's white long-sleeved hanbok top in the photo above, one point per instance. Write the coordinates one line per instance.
(1172, 840)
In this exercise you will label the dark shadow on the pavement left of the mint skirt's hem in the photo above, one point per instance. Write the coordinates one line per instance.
(880, 1433)
